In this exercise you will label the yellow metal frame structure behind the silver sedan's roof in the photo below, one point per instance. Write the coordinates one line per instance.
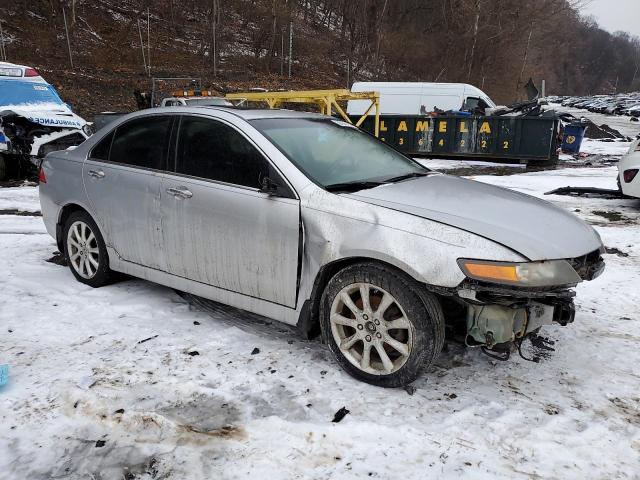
(326, 100)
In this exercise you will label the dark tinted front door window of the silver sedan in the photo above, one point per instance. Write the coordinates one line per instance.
(210, 149)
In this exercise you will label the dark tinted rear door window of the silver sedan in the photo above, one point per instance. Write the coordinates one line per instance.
(142, 142)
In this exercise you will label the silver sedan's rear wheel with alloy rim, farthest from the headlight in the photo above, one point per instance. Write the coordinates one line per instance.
(85, 250)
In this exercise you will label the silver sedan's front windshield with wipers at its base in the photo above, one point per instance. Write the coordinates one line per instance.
(336, 155)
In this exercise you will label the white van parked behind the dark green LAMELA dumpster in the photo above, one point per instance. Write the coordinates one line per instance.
(418, 98)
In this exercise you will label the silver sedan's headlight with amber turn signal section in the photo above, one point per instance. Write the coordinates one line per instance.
(526, 274)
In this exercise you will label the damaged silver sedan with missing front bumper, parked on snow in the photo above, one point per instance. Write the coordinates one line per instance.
(307, 220)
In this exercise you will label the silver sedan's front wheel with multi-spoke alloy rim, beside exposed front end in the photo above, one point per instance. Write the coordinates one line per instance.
(409, 330)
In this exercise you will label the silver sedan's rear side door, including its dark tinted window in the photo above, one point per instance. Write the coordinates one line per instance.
(122, 178)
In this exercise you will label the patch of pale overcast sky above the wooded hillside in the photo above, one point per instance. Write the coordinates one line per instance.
(615, 15)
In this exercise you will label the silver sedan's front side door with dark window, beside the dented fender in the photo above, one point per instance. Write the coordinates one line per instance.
(218, 227)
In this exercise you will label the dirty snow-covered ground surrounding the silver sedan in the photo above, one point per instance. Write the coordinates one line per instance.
(106, 383)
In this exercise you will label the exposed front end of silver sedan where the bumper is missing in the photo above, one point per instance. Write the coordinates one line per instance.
(498, 315)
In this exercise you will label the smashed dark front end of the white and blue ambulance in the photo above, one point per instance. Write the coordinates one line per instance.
(24, 142)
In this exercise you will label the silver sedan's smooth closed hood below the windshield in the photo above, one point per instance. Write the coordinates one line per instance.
(532, 227)
